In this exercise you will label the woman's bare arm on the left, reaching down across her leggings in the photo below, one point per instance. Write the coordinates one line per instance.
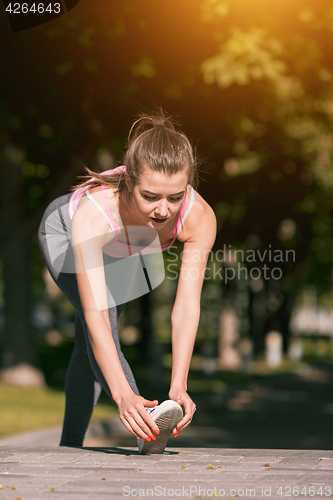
(89, 234)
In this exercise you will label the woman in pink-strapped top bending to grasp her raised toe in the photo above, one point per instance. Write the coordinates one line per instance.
(97, 243)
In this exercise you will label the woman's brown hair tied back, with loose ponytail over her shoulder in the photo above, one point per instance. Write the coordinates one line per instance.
(153, 141)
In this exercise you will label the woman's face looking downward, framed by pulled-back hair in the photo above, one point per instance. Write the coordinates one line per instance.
(157, 197)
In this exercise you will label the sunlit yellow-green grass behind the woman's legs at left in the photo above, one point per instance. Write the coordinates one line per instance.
(30, 408)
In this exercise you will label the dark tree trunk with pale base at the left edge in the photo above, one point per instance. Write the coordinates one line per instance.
(18, 346)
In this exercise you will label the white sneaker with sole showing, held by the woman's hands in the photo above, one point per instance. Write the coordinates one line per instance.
(166, 415)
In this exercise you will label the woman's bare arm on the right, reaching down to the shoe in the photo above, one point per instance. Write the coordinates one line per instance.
(200, 233)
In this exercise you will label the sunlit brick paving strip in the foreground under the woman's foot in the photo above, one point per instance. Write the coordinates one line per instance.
(117, 473)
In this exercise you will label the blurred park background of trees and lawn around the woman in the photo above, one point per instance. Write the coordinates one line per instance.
(251, 84)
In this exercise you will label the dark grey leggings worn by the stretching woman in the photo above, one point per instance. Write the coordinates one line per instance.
(84, 379)
